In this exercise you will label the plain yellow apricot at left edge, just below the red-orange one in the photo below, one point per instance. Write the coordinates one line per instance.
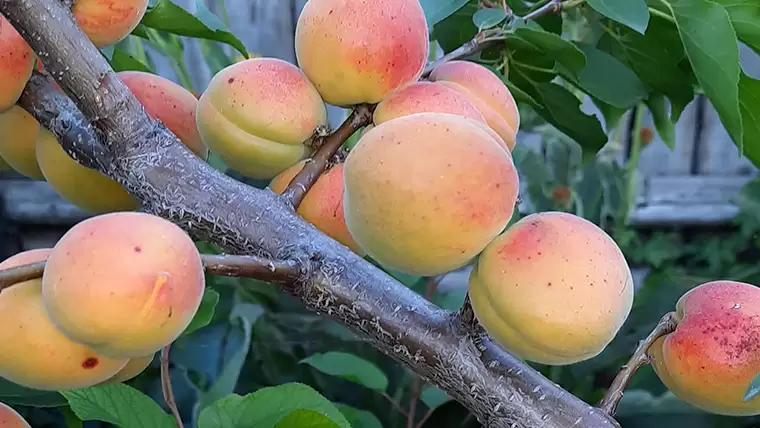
(18, 138)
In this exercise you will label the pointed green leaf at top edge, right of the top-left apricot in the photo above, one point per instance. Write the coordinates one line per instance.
(167, 16)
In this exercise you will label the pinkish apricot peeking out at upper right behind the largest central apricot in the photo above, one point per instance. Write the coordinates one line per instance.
(486, 91)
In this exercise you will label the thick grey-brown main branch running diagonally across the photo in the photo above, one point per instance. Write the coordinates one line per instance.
(151, 163)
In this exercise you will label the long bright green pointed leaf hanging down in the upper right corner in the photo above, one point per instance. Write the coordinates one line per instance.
(713, 51)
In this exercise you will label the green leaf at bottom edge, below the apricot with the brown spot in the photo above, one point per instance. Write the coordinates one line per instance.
(118, 404)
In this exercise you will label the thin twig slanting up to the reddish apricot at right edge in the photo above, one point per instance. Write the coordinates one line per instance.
(614, 394)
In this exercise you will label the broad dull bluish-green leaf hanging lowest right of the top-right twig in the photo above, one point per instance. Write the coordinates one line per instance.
(609, 80)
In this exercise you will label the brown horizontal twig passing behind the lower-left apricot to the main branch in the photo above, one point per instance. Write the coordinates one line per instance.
(223, 265)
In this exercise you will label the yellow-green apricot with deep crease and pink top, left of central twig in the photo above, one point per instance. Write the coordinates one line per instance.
(256, 115)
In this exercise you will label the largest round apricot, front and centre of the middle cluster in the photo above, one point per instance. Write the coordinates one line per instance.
(425, 193)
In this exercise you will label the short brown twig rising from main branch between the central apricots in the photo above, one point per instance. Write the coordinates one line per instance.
(360, 117)
